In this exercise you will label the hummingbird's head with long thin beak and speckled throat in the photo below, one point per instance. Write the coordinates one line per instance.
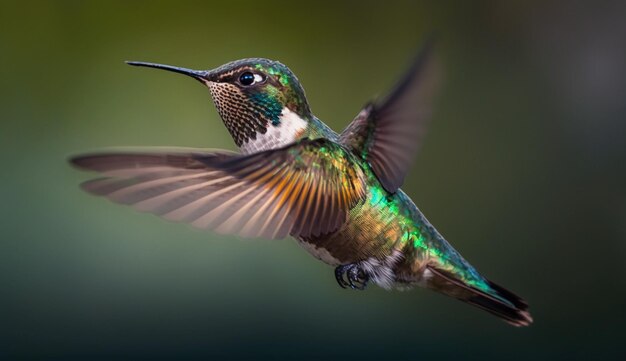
(252, 95)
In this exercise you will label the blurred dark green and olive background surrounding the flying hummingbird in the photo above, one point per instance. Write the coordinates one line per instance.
(523, 170)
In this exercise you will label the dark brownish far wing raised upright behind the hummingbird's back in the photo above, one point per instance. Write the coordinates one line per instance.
(387, 134)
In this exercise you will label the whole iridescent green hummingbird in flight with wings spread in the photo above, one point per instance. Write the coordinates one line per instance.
(337, 194)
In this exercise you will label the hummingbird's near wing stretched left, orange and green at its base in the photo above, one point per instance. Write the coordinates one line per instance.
(303, 189)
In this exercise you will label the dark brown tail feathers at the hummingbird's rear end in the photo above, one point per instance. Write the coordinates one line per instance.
(500, 301)
